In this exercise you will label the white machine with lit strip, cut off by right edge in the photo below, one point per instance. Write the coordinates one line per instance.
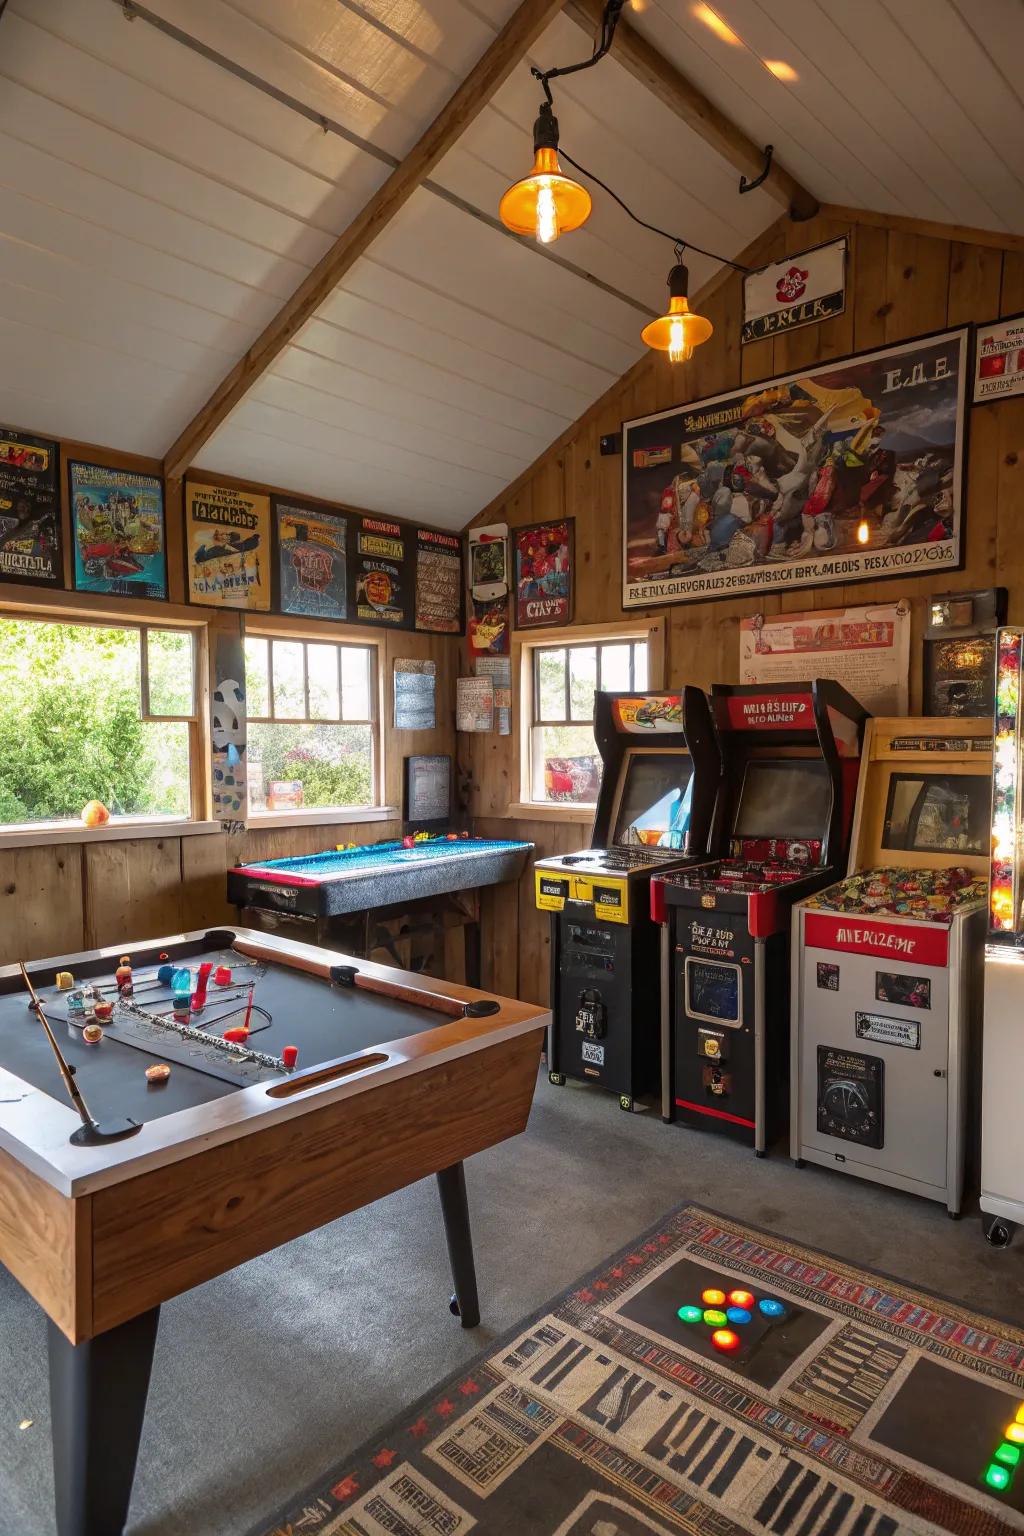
(1003, 1061)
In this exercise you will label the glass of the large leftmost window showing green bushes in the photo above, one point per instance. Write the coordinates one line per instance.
(96, 712)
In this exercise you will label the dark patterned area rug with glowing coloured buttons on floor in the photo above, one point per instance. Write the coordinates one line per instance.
(836, 1405)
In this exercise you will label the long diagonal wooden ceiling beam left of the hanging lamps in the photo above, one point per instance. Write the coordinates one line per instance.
(492, 70)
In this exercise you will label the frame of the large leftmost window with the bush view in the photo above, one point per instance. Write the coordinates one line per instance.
(121, 829)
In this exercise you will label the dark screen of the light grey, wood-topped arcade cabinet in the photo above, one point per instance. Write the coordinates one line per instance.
(937, 815)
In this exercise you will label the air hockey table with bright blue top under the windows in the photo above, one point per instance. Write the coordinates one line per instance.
(346, 896)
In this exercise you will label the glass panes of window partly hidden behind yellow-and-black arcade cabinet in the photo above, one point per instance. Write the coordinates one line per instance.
(564, 760)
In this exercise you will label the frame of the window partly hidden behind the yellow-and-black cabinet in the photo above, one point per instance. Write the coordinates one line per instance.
(650, 631)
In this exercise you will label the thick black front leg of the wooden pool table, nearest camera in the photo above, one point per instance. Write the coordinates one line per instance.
(97, 1394)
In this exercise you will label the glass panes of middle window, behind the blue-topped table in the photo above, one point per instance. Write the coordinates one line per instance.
(312, 738)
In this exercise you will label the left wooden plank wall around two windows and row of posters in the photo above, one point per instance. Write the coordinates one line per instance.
(65, 898)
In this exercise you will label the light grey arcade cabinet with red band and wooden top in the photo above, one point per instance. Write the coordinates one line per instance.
(887, 965)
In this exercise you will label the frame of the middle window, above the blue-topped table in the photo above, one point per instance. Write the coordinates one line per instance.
(375, 810)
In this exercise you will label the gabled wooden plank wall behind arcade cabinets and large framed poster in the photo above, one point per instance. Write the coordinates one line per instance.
(902, 286)
